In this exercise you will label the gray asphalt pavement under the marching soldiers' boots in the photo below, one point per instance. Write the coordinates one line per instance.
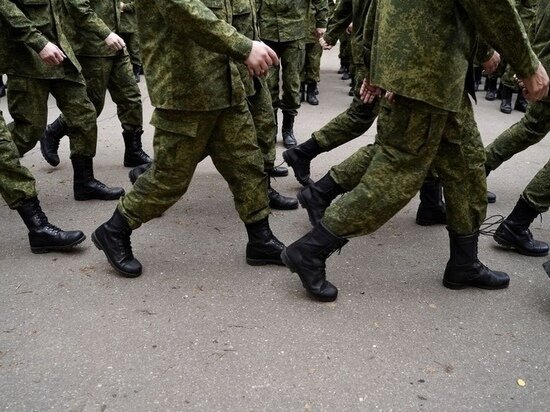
(202, 330)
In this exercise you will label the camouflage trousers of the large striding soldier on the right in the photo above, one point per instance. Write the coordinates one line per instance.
(414, 136)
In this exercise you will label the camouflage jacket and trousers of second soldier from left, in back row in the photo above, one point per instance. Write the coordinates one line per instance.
(91, 21)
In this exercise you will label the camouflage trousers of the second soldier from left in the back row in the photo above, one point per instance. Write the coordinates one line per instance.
(114, 74)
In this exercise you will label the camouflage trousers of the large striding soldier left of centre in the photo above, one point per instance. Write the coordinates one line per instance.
(180, 140)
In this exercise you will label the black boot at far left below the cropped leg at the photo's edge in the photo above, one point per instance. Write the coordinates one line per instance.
(43, 236)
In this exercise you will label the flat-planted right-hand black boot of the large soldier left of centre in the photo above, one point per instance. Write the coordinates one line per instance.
(263, 248)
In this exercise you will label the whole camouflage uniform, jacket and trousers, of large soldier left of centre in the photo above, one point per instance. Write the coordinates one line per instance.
(200, 107)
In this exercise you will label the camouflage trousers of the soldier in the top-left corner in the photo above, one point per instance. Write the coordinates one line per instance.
(28, 106)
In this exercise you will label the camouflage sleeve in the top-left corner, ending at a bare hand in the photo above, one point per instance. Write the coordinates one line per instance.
(22, 28)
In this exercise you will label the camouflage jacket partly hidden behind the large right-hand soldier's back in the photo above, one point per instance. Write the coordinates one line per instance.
(346, 12)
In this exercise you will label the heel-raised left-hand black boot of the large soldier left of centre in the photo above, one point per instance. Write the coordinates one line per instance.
(113, 238)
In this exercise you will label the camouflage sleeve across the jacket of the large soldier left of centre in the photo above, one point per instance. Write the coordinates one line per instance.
(192, 19)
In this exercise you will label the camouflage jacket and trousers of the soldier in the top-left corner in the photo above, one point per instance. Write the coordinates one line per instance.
(31, 80)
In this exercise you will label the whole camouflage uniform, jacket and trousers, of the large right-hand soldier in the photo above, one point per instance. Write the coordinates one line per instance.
(431, 120)
